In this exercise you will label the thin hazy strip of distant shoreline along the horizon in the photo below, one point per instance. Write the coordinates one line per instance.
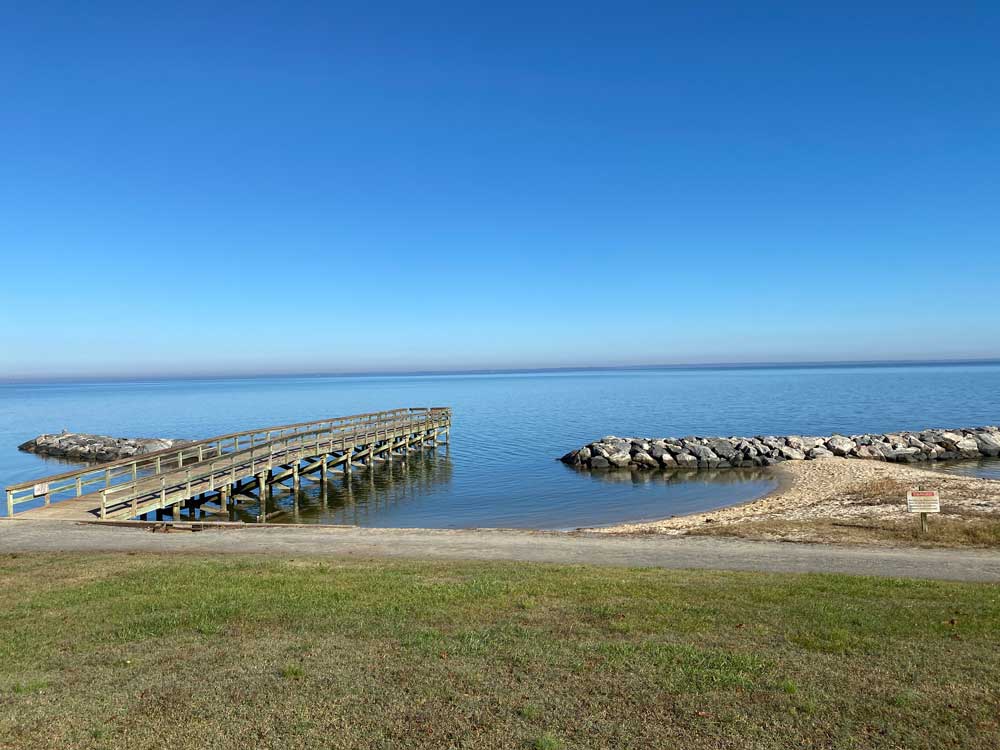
(708, 366)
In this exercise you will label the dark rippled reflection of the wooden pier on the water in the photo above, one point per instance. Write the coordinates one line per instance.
(351, 498)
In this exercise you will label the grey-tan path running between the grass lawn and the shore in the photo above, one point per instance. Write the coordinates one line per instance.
(554, 547)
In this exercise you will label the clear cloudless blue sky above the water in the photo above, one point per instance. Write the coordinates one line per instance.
(260, 187)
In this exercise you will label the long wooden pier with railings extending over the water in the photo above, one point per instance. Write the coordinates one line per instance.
(229, 469)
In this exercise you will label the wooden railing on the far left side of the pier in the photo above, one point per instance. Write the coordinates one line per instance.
(157, 462)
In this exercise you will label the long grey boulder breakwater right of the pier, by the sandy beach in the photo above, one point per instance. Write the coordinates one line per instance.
(765, 450)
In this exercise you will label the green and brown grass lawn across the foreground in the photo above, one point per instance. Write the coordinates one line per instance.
(127, 651)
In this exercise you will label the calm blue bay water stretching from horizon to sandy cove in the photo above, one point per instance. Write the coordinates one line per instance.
(500, 469)
